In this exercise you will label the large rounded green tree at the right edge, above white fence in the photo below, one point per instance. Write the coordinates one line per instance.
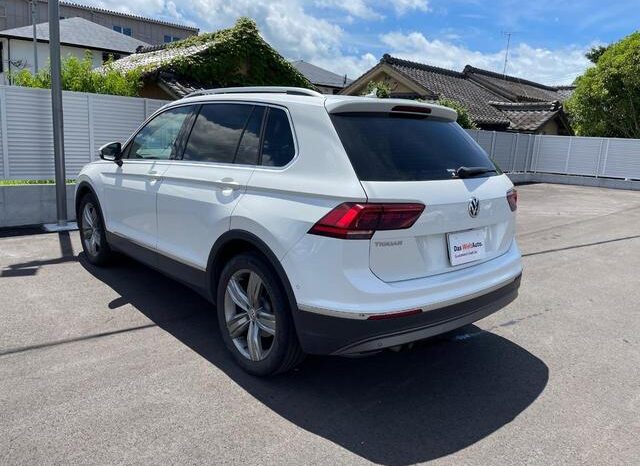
(606, 101)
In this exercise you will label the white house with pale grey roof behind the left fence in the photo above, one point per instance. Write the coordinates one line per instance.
(77, 35)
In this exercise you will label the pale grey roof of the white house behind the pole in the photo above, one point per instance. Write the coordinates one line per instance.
(82, 33)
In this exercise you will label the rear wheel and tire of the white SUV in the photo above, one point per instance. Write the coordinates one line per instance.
(255, 317)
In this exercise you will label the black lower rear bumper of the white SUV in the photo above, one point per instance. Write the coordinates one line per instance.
(324, 334)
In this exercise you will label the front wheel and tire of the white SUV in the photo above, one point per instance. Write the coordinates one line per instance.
(92, 231)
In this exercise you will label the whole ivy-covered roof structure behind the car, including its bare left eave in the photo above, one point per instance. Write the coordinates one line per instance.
(237, 56)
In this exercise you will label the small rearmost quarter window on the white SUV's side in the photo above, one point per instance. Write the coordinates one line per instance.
(278, 148)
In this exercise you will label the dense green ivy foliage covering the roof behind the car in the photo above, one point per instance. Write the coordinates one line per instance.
(237, 56)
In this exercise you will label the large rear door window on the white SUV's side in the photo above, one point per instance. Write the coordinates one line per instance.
(216, 132)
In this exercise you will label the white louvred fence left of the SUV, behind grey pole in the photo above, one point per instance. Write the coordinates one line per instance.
(90, 120)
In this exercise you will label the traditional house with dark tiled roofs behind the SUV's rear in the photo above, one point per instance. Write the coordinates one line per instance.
(494, 101)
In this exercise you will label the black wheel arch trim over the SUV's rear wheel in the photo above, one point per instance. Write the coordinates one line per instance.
(235, 242)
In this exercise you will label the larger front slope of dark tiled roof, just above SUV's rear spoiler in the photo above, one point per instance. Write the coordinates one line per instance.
(453, 85)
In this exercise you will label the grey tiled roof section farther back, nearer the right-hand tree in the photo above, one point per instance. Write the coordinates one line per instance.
(513, 88)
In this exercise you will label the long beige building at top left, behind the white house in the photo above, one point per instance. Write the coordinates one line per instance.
(17, 13)
